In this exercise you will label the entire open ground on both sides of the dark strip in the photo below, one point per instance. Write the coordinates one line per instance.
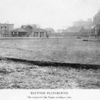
(28, 76)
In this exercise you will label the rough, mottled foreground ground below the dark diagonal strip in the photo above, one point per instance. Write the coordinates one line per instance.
(15, 75)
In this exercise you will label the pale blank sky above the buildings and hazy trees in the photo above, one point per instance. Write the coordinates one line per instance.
(57, 14)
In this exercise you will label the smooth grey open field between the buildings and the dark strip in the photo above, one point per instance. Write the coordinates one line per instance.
(68, 50)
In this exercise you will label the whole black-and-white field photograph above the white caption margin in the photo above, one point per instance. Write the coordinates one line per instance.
(49, 44)
